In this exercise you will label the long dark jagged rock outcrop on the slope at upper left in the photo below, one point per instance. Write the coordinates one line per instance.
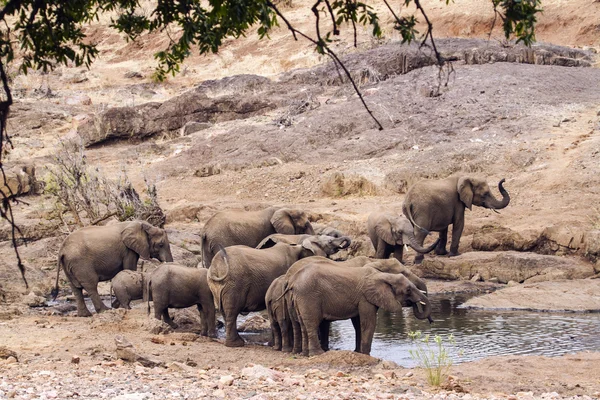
(169, 117)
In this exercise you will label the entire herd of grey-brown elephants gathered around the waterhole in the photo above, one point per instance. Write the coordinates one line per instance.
(274, 259)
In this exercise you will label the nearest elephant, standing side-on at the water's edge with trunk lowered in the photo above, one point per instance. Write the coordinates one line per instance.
(320, 292)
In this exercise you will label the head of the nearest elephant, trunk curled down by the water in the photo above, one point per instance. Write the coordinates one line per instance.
(394, 291)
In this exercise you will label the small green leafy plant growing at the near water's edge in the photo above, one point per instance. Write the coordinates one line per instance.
(432, 355)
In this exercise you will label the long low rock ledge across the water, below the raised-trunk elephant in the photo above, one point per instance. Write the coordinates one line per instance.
(505, 267)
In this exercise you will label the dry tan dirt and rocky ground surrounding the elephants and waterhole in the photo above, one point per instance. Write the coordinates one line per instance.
(535, 125)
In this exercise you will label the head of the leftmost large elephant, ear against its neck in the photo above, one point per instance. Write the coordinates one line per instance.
(148, 241)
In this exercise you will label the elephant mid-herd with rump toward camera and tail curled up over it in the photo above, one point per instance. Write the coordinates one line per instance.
(240, 275)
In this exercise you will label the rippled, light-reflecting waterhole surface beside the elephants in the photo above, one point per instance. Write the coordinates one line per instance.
(477, 333)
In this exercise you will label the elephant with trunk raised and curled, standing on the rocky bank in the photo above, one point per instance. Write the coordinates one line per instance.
(433, 205)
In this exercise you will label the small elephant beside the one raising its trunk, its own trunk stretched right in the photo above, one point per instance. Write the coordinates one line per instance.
(390, 233)
